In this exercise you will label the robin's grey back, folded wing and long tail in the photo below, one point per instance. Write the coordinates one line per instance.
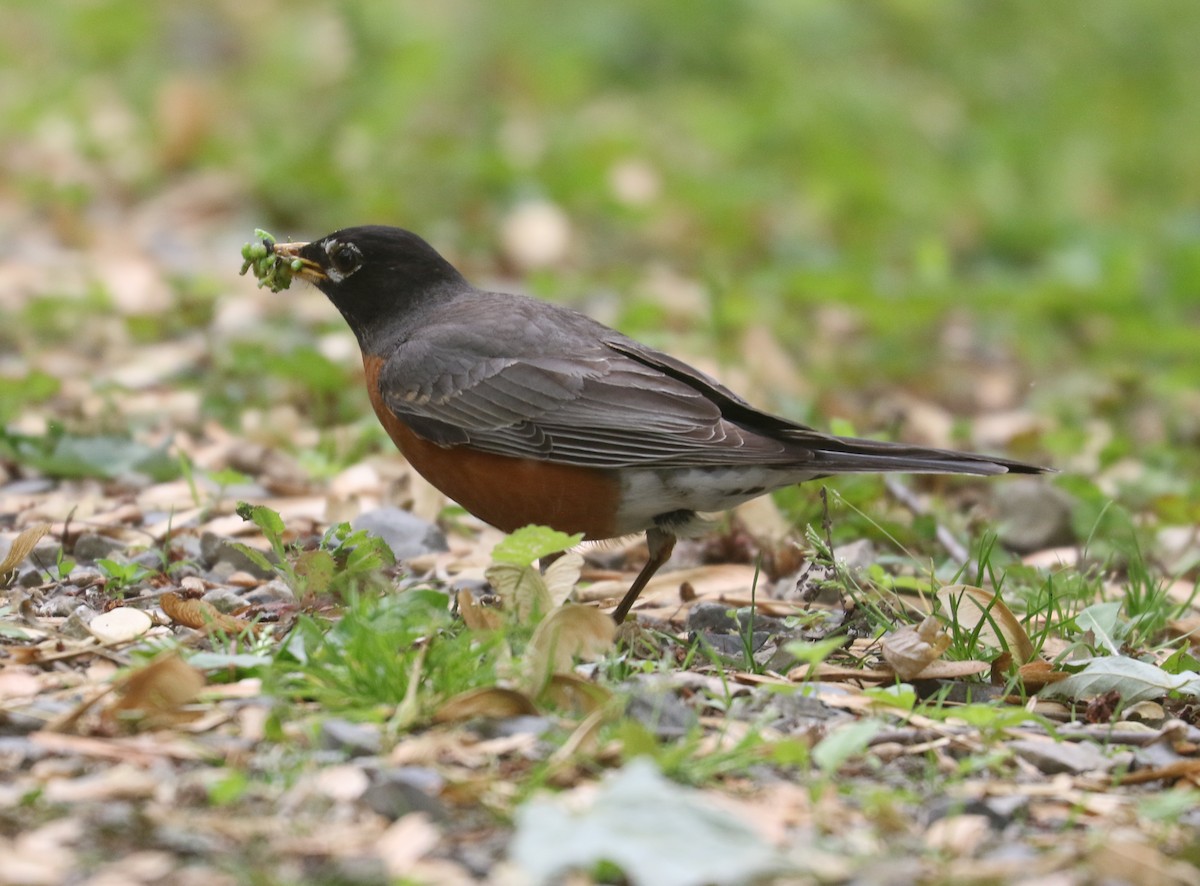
(549, 384)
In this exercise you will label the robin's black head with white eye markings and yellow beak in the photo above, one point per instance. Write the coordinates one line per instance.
(375, 276)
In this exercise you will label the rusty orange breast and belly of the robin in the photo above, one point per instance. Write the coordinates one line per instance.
(505, 492)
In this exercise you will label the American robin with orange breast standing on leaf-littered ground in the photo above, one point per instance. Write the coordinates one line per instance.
(525, 412)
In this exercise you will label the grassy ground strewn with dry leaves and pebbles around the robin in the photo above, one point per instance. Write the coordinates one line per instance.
(917, 223)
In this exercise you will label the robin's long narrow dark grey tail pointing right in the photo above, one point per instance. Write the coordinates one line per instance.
(853, 456)
